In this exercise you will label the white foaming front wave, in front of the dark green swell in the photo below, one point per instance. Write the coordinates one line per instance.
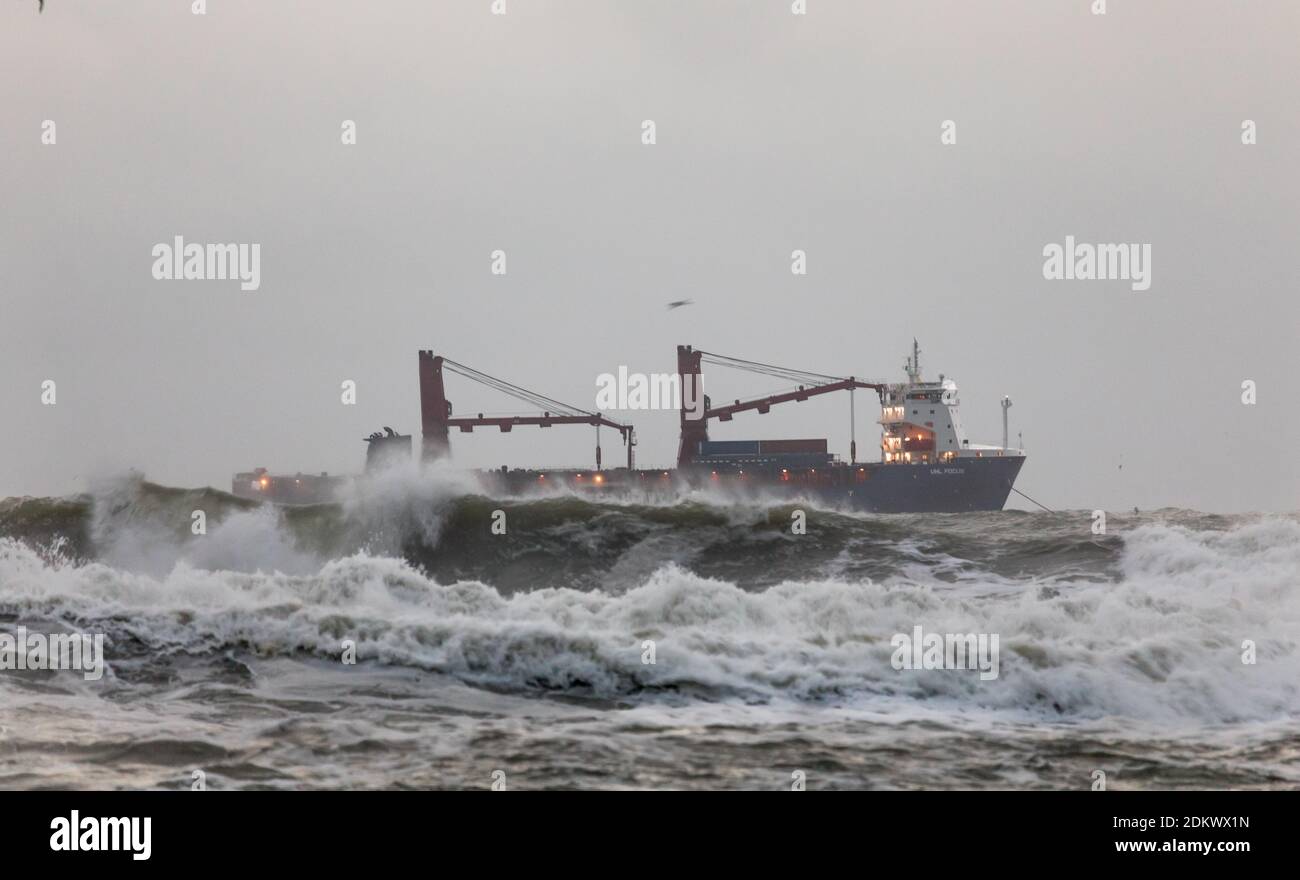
(1163, 644)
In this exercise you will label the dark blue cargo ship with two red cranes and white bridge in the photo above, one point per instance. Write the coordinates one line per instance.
(928, 463)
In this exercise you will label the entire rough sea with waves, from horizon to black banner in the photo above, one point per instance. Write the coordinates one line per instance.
(525, 653)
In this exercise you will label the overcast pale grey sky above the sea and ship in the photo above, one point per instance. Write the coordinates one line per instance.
(775, 132)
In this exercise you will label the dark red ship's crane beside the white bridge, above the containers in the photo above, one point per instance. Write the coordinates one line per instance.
(695, 421)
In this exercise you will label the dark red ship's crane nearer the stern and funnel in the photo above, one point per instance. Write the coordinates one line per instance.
(437, 421)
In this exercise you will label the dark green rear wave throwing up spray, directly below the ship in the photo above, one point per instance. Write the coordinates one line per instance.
(439, 523)
